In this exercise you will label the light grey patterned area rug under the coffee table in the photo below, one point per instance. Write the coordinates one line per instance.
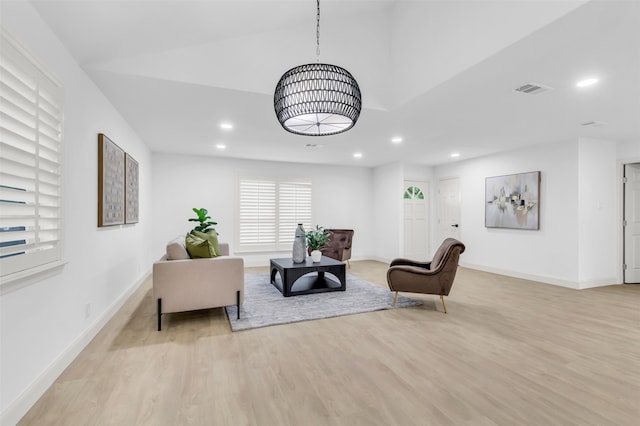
(264, 305)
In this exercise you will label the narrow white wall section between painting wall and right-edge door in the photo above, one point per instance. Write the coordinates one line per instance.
(597, 213)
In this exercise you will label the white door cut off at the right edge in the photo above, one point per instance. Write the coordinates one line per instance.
(632, 223)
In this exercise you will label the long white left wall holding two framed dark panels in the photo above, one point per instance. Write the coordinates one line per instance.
(44, 321)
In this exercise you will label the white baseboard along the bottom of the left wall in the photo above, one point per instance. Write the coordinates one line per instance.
(18, 408)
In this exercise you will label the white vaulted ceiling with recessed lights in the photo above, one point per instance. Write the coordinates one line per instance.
(440, 74)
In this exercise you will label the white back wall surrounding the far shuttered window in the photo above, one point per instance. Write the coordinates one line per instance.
(342, 198)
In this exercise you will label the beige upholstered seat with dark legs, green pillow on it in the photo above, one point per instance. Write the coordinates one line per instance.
(184, 284)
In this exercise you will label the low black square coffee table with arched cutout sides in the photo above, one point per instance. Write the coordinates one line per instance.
(299, 278)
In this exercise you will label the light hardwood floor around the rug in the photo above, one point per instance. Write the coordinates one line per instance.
(509, 352)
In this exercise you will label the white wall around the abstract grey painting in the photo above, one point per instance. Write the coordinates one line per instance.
(549, 254)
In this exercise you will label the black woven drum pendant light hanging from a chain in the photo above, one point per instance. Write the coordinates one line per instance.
(317, 99)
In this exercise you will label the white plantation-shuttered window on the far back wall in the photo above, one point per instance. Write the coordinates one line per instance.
(269, 212)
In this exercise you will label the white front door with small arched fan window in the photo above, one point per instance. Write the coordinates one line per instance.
(416, 220)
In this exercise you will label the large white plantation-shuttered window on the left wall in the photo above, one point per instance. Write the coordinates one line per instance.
(31, 111)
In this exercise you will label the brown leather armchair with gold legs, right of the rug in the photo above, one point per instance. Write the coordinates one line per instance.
(435, 277)
